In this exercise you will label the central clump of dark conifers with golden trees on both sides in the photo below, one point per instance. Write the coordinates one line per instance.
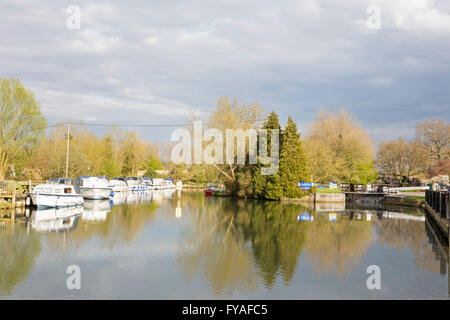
(334, 148)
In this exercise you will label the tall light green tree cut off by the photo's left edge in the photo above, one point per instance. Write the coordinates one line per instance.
(21, 121)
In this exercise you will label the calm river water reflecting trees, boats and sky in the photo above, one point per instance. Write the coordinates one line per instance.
(171, 245)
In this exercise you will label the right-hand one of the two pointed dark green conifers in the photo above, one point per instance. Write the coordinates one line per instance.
(293, 161)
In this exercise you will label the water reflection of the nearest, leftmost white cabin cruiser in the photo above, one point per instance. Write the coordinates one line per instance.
(56, 219)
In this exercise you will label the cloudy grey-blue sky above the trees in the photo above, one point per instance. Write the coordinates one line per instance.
(157, 62)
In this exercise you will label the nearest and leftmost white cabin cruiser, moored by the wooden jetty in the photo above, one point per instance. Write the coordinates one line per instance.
(59, 192)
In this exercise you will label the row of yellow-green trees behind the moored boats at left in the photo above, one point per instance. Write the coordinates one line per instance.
(26, 152)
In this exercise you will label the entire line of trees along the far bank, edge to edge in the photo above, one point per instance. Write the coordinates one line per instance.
(333, 148)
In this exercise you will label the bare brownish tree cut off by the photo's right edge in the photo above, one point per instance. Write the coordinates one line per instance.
(434, 135)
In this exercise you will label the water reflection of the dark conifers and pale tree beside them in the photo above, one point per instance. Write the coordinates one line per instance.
(231, 239)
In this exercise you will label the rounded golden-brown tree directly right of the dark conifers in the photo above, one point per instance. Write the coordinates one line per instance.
(351, 149)
